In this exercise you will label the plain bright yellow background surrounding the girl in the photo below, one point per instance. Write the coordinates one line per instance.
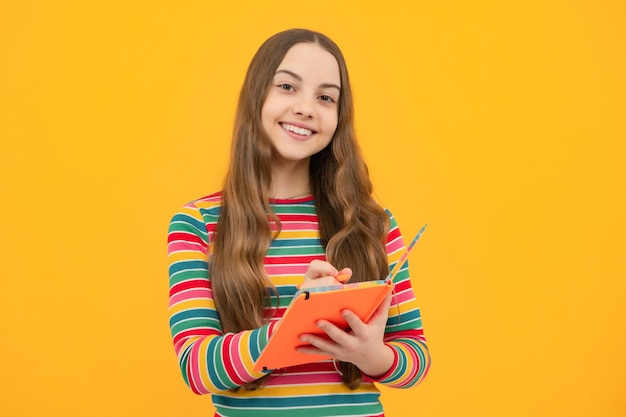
(502, 124)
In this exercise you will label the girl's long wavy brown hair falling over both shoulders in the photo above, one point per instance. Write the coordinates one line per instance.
(353, 226)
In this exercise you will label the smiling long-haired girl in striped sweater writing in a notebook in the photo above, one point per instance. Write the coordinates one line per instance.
(295, 207)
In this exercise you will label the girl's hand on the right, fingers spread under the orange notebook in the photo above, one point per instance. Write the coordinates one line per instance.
(362, 345)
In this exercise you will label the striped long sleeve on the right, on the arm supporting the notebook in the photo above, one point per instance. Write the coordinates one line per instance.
(404, 332)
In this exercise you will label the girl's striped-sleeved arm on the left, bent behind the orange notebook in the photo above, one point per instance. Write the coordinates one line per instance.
(210, 361)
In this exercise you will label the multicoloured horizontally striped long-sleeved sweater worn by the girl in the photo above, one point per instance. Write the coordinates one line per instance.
(215, 362)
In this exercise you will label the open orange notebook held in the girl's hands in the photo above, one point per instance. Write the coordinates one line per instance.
(312, 304)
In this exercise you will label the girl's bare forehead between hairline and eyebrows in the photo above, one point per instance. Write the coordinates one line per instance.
(310, 60)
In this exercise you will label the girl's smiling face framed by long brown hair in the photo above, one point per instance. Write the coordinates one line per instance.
(300, 112)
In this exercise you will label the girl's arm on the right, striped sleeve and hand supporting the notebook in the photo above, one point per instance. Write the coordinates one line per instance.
(390, 348)
